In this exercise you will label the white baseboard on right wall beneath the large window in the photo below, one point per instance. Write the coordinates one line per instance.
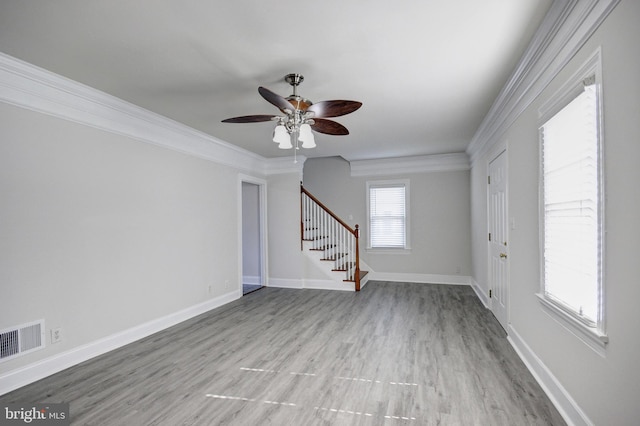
(558, 395)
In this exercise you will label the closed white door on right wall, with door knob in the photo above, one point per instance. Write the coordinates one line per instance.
(498, 244)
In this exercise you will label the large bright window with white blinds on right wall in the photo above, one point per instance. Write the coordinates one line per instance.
(571, 207)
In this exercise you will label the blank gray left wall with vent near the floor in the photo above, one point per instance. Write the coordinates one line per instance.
(101, 233)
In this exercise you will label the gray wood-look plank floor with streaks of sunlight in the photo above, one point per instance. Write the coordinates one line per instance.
(392, 354)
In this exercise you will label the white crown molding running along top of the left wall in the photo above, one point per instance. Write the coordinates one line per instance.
(33, 88)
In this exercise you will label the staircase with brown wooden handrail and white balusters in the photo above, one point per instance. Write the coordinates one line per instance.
(337, 243)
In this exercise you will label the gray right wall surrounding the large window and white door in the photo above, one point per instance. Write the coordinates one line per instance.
(606, 388)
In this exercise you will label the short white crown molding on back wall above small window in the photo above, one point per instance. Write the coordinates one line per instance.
(404, 165)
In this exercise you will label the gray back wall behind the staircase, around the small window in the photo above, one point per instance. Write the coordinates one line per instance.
(439, 213)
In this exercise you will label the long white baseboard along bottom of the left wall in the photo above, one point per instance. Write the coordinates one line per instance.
(38, 370)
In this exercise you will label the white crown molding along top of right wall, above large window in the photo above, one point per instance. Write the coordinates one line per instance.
(565, 29)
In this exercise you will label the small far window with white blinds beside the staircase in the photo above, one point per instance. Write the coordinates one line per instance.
(387, 203)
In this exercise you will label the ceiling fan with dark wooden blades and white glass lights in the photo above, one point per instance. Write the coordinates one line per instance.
(300, 116)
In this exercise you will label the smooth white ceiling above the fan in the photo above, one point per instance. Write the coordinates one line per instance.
(426, 72)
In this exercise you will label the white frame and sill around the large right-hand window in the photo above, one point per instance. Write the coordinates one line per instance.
(593, 335)
